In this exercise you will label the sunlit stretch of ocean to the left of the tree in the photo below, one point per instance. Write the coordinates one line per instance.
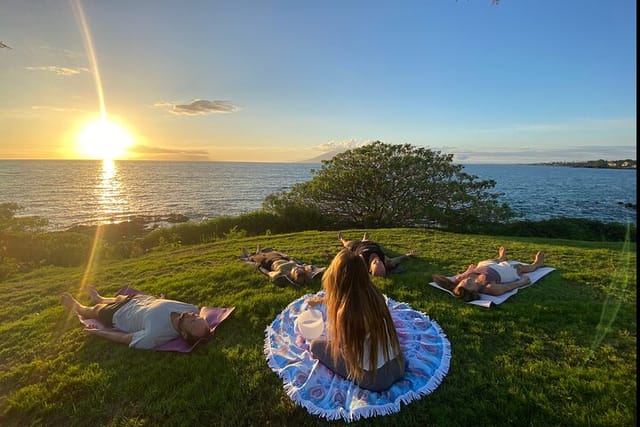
(85, 192)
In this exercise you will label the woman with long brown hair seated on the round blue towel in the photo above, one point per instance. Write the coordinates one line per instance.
(362, 343)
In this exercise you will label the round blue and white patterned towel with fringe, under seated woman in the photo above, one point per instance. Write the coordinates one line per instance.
(315, 387)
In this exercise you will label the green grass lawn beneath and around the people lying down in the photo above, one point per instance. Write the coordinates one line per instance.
(562, 352)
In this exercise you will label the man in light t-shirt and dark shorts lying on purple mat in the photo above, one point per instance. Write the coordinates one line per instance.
(141, 321)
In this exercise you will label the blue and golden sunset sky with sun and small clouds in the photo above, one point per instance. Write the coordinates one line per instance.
(280, 81)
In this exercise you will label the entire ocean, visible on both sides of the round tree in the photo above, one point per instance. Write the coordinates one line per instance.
(71, 192)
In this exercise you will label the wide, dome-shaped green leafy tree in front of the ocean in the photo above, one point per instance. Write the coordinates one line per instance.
(384, 185)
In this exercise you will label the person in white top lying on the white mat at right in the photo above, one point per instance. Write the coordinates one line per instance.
(491, 277)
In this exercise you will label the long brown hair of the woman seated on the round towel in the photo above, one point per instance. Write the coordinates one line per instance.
(355, 308)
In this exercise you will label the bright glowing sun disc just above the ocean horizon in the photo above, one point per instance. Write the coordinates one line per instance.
(104, 139)
